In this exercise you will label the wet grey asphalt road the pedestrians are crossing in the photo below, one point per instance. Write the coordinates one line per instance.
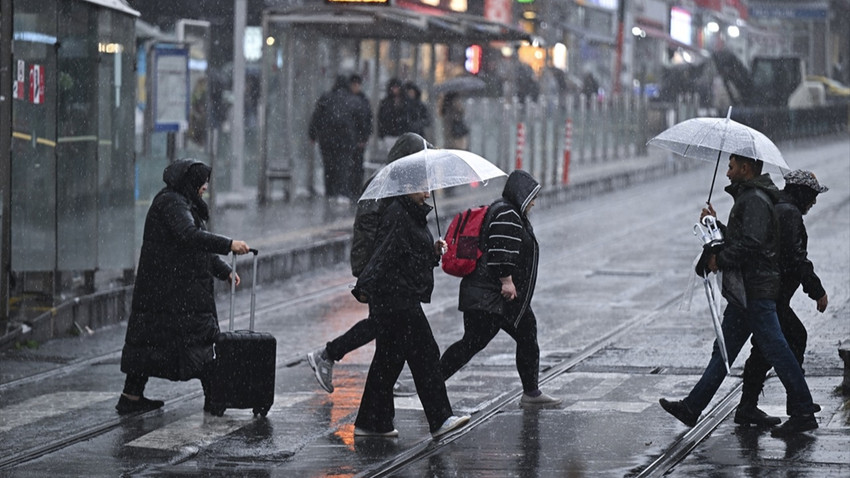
(613, 339)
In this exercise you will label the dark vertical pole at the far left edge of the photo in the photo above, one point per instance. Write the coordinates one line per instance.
(6, 30)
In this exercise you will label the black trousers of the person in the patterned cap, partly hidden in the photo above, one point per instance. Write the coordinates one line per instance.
(756, 367)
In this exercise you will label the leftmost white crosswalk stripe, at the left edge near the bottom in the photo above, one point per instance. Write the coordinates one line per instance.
(50, 405)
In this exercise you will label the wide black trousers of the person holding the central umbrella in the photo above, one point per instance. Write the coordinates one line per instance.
(403, 336)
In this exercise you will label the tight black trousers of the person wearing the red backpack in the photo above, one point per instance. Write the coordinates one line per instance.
(479, 328)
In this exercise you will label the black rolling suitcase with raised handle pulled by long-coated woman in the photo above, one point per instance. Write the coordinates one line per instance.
(243, 370)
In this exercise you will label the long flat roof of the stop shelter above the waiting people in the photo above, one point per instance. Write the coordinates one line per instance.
(393, 23)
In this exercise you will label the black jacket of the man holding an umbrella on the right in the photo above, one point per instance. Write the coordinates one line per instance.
(751, 251)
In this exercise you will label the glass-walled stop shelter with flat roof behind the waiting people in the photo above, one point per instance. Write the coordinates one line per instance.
(305, 48)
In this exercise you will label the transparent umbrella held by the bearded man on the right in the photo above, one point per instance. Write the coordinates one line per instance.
(709, 138)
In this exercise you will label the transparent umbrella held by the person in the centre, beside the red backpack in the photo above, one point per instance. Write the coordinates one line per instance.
(429, 170)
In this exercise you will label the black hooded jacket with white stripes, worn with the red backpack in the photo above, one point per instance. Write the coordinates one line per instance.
(510, 249)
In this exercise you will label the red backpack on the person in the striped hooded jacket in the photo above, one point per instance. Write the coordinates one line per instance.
(462, 238)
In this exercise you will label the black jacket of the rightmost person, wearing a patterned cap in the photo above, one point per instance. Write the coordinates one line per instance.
(794, 264)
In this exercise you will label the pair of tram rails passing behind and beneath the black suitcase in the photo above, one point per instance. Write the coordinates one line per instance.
(93, 431)
